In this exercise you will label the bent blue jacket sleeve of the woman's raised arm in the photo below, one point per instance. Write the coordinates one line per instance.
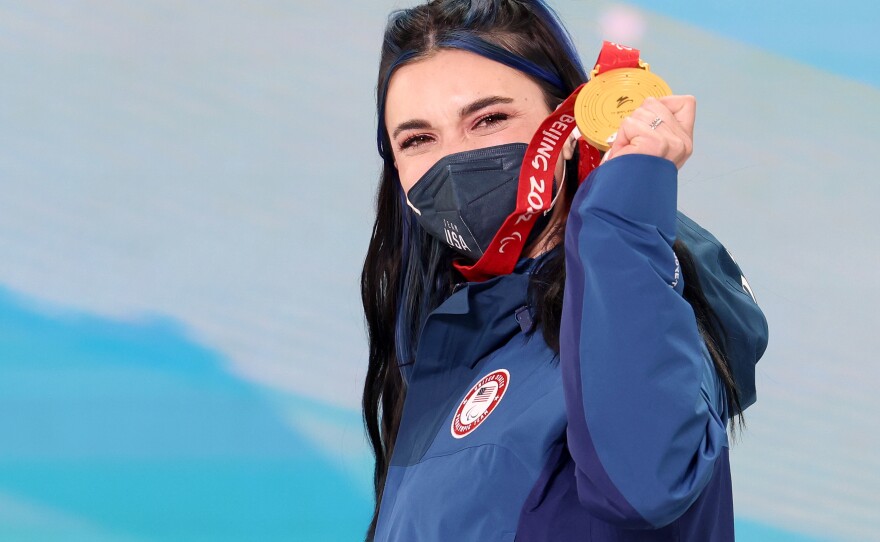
(646, 409)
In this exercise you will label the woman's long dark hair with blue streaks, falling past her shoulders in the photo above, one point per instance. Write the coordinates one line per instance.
(407, 273)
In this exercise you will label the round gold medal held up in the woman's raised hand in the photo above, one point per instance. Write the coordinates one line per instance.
(612, 96)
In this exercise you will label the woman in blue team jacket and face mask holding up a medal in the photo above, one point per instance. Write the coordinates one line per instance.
(586, 394)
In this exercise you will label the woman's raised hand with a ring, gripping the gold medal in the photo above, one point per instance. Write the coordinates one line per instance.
(672, 136)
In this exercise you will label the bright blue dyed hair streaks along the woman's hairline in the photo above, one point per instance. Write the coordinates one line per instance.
(473, 43)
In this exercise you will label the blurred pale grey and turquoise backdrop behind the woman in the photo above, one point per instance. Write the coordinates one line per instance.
(186, 196)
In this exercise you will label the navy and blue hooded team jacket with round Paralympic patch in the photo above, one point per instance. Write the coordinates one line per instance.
(622, 436)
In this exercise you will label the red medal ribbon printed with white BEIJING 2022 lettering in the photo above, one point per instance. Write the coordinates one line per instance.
(534, 194)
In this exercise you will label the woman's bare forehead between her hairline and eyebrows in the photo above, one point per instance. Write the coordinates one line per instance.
(448, 80)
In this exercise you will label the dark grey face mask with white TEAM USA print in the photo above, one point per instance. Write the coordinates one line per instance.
(465, 197)
